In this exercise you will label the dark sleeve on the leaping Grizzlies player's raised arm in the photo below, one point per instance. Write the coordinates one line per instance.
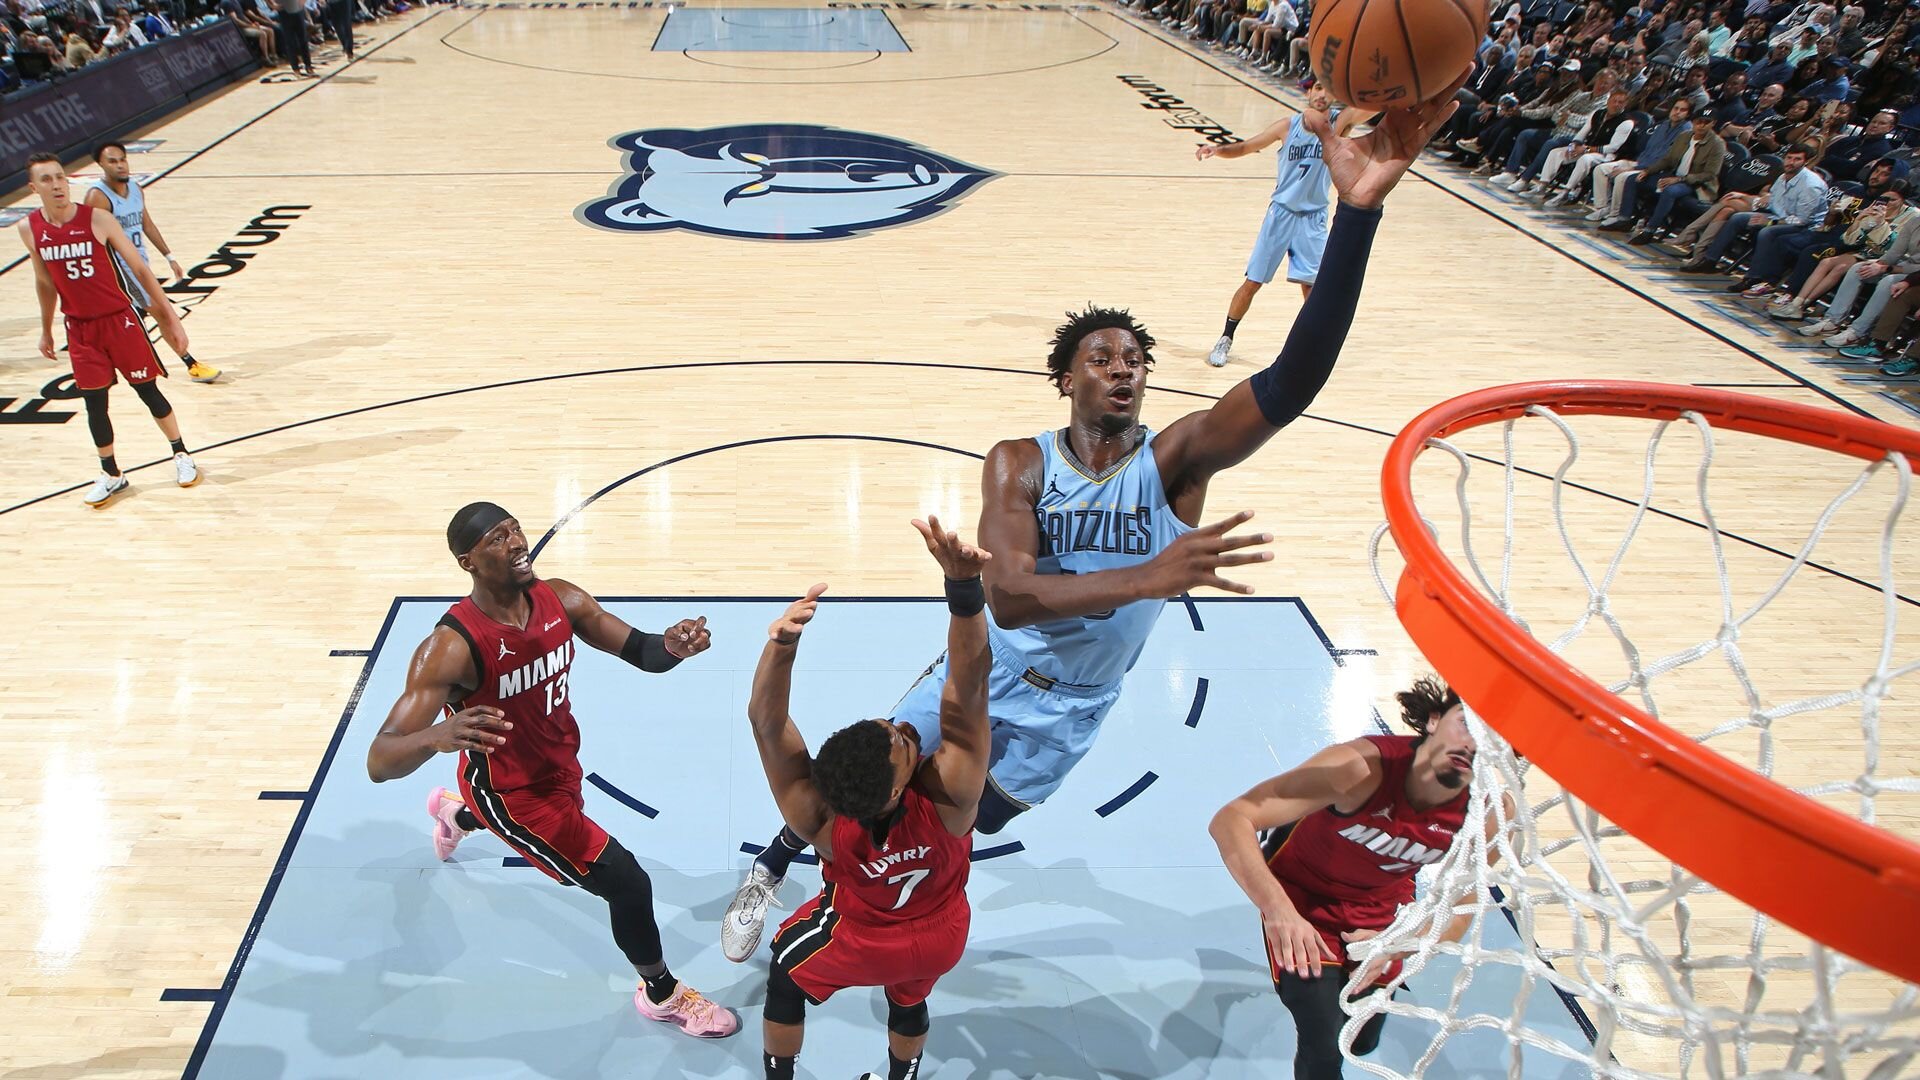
(1287, 387)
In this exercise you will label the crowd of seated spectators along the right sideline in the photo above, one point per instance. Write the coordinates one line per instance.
(1765, 139)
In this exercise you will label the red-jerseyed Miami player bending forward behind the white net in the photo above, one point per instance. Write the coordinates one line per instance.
(1353, 825)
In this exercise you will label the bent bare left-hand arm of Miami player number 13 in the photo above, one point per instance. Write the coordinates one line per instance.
(441, 668)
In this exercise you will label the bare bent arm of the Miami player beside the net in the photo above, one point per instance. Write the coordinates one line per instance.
(1337, 777)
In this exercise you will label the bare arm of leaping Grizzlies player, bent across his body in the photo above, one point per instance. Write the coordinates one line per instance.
(1022, 597)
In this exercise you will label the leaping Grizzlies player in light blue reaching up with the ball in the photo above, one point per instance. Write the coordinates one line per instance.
(1097, 526)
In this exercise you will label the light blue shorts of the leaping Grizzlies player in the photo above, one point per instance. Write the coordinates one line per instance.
(1040, 735)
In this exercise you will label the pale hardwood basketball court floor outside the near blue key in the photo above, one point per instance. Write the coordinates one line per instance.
(416, 308)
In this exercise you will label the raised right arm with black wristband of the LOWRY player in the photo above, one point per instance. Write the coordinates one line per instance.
(957, 773)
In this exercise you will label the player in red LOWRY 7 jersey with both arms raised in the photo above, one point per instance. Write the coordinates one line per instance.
(894, 831)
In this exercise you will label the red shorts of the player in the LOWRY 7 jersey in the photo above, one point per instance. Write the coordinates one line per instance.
(825, 952)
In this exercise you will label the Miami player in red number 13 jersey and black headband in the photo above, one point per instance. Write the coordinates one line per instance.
(498, 670)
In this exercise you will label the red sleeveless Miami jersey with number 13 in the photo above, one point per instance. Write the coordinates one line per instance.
(523, 674)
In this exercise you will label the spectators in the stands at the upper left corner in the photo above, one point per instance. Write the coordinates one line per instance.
(51, 39)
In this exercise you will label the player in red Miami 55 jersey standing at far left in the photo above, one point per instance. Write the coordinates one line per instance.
(72, 253)
